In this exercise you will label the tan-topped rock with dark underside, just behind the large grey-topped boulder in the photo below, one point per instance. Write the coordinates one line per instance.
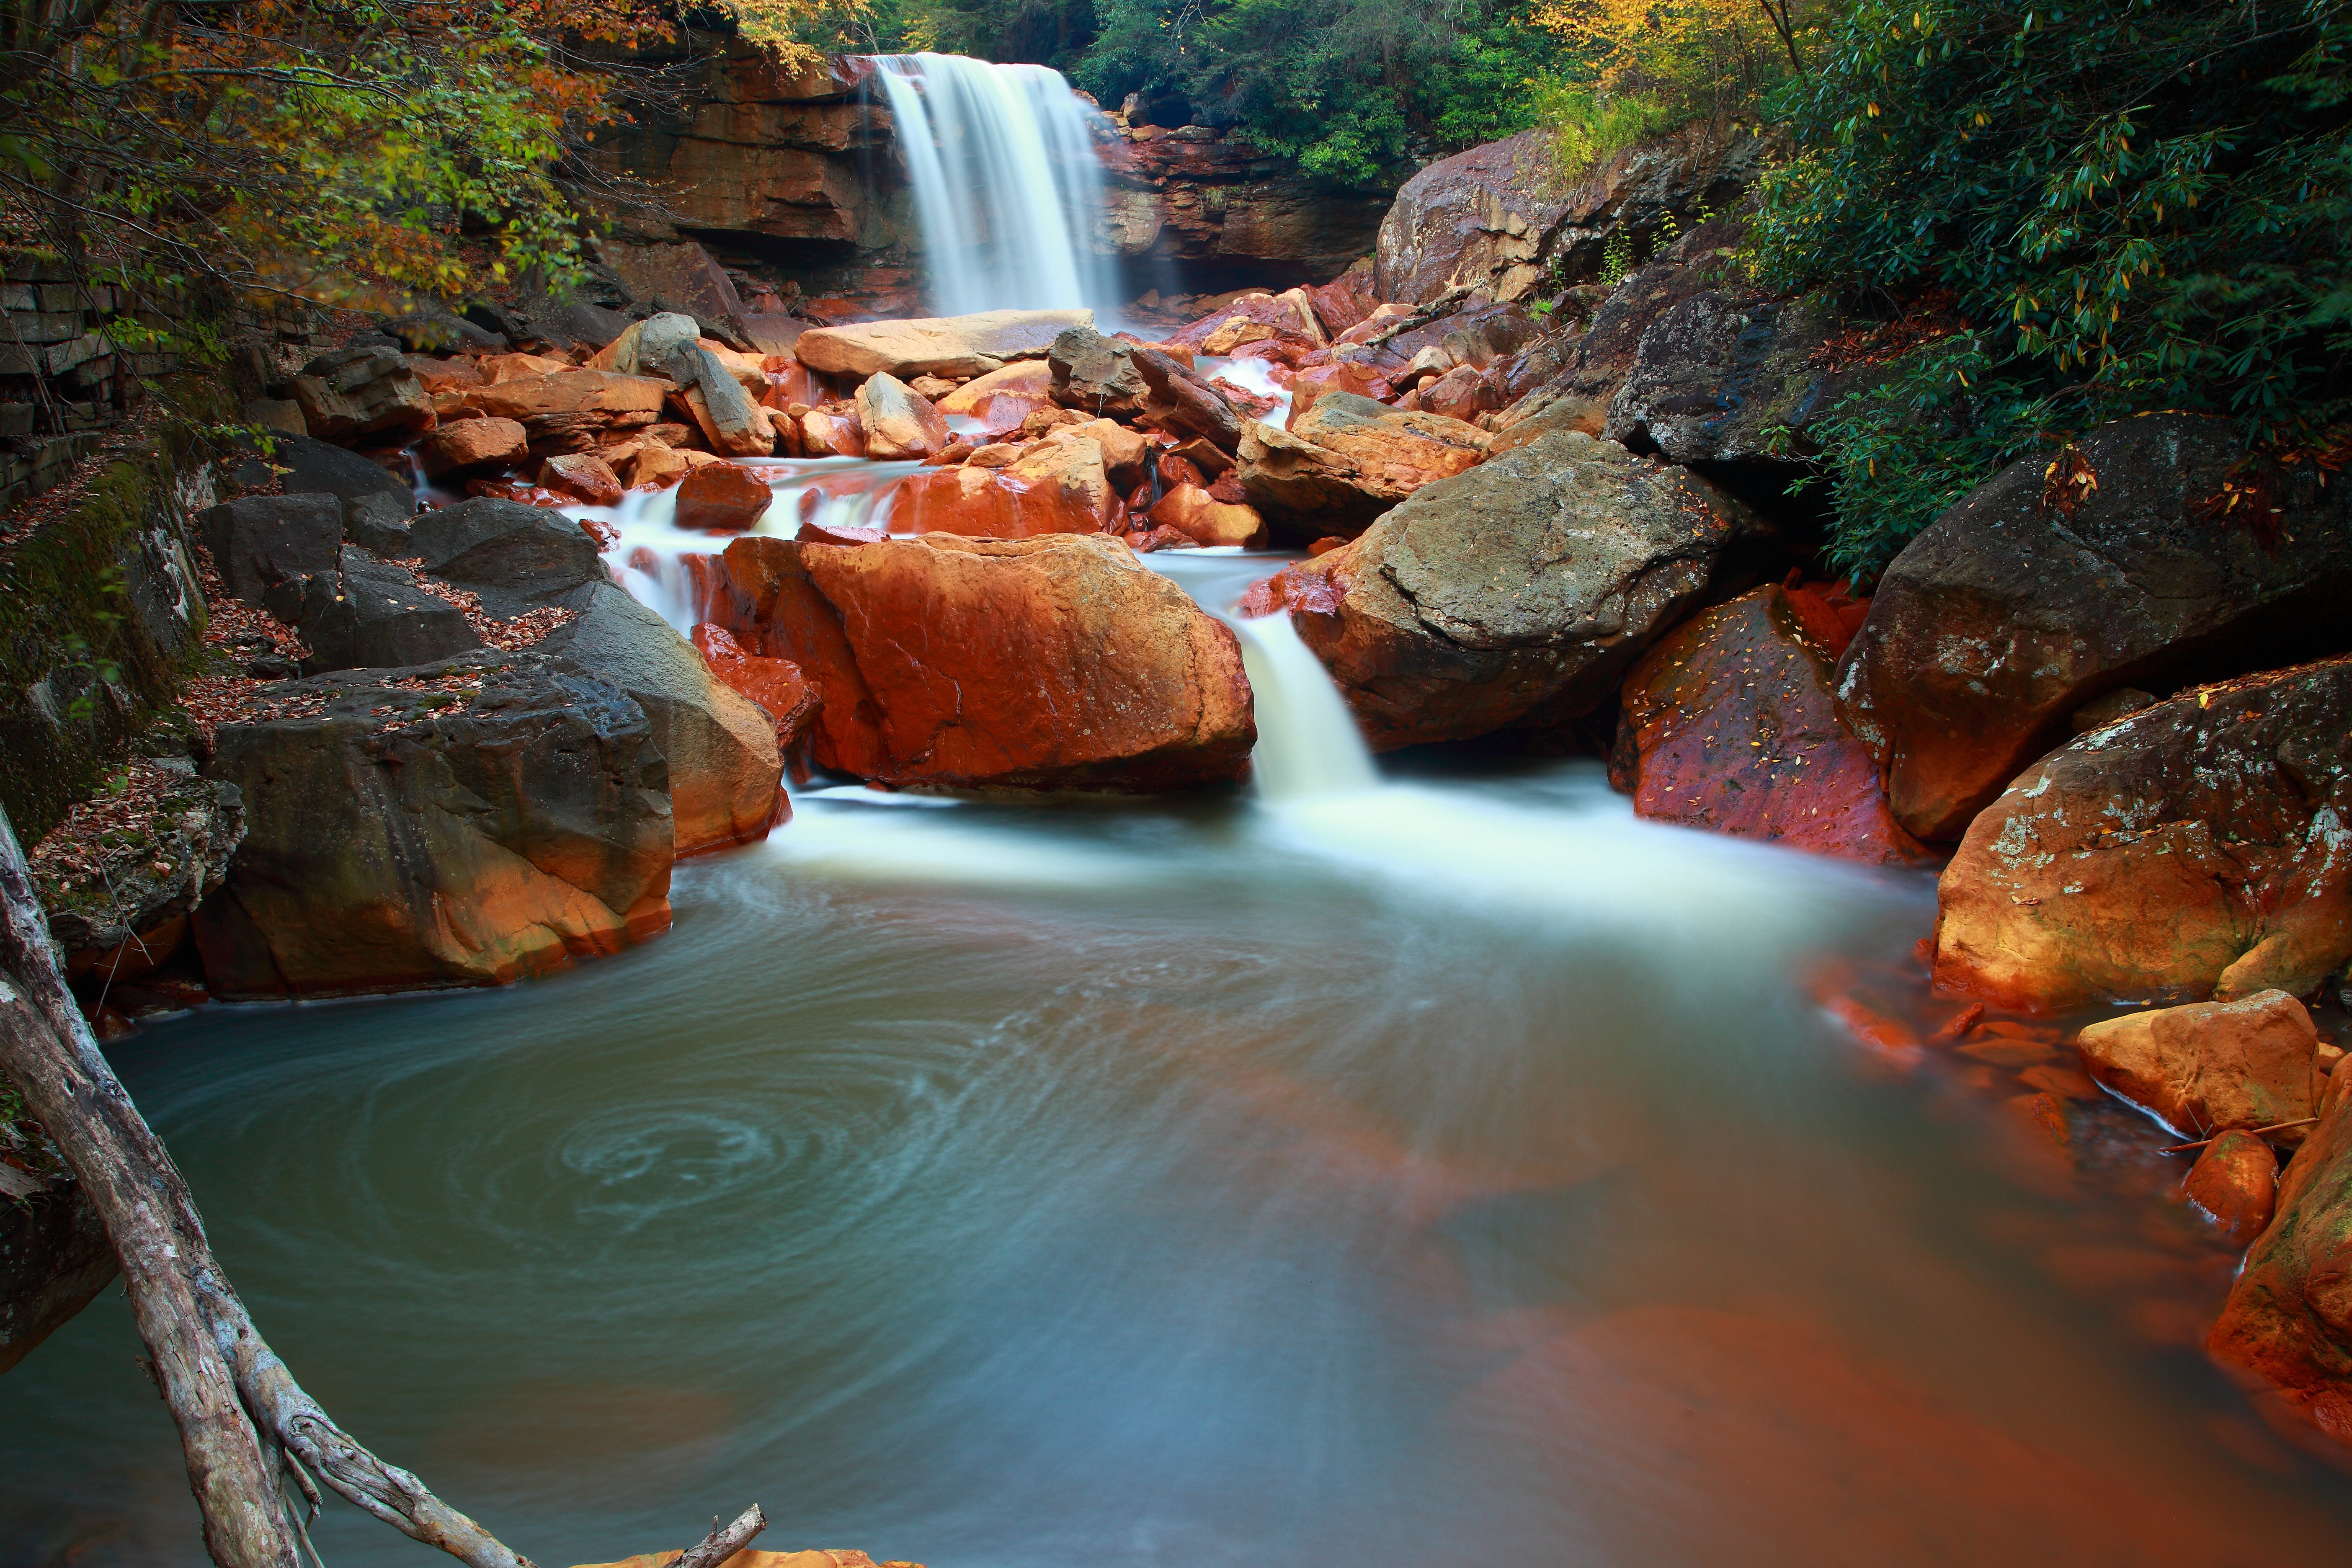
(1351, 460)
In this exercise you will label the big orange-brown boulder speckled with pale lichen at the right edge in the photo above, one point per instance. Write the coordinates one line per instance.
(2191, 850)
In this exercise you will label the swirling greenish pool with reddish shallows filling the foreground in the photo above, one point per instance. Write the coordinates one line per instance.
(1452, 1167)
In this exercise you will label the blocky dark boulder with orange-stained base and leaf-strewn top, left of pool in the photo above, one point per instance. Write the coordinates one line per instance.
(460, 824)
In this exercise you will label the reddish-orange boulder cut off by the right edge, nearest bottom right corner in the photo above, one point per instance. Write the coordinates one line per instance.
(2290, 1313)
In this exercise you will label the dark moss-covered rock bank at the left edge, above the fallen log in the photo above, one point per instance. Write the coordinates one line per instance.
(81, 674)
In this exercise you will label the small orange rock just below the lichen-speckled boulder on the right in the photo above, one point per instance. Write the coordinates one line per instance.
(2210, 1066)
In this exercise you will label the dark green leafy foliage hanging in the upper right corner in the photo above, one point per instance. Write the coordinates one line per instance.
(2137, 203)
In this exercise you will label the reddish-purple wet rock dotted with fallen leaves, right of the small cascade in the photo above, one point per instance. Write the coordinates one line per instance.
(1728, 725)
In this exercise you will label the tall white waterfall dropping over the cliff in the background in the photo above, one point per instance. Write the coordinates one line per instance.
(1008, 185)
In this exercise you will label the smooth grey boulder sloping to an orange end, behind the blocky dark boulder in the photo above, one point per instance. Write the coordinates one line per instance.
(723, 763)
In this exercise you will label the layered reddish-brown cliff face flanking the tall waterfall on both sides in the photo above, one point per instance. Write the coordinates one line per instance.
(801, 170)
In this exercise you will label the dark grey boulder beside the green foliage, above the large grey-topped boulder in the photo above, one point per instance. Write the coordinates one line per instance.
(1718, 375)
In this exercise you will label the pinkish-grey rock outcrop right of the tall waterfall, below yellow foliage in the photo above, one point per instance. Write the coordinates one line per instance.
(1497, 220)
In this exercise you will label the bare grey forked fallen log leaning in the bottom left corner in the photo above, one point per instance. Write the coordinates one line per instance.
(248, 1428)
